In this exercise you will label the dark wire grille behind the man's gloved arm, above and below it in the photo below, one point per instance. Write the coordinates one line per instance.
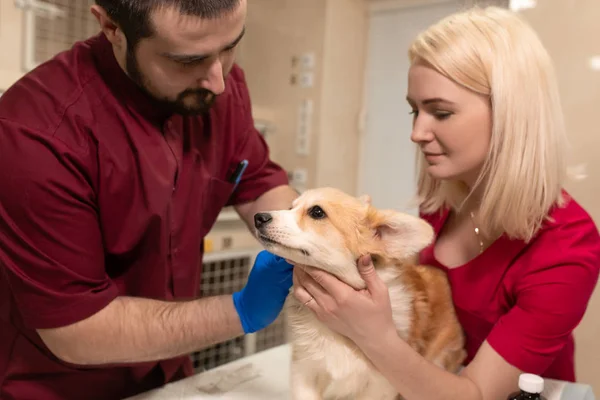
(225, 273)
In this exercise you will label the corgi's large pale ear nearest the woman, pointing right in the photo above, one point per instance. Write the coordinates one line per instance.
(399, 236)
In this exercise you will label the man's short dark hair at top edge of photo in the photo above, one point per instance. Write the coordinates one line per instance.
(133, 16)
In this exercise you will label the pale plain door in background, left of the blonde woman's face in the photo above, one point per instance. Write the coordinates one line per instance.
(387, 154)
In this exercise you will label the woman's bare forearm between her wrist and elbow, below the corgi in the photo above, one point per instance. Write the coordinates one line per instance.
(414, 377)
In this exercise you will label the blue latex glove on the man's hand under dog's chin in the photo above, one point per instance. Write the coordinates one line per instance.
(259, 303)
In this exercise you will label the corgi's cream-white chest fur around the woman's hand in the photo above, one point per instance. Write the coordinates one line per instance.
(326, 363)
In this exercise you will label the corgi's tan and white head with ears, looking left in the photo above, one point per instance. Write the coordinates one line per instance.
(330, 230)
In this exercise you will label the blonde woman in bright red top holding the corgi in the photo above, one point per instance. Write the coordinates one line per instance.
(521, 255)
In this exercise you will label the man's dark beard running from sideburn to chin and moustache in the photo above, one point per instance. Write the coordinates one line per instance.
(204, 98)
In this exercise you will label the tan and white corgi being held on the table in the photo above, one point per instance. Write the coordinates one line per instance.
(330, 230)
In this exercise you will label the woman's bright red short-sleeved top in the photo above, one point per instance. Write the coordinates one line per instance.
(526, 299)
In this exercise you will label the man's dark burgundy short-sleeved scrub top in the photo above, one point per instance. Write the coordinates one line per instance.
(103, 195)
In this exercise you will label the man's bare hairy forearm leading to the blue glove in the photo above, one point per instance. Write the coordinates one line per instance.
(132, 330)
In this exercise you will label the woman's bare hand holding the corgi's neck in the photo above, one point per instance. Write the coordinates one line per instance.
(360, 315)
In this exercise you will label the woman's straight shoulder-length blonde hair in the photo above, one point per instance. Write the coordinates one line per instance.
(493, 52)
